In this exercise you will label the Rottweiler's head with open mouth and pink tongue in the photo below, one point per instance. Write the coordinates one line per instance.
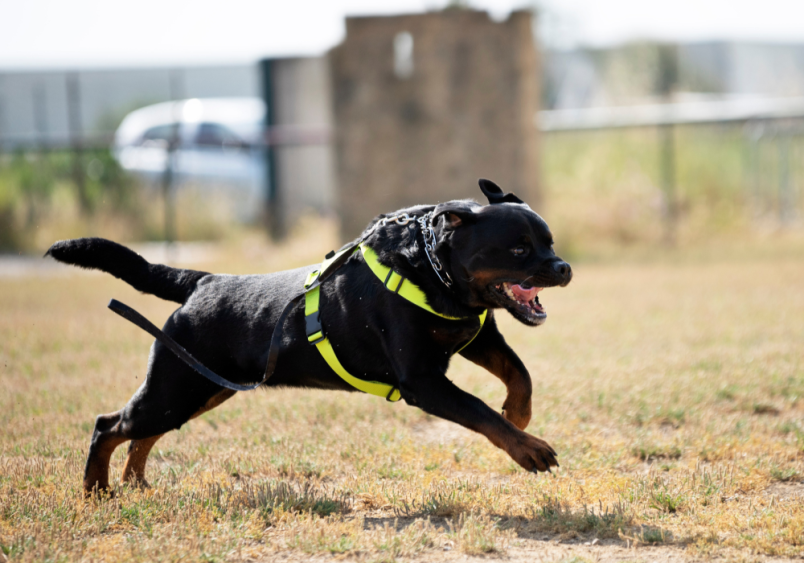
(501, 254)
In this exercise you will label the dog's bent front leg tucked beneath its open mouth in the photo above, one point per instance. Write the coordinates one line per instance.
(490, 351)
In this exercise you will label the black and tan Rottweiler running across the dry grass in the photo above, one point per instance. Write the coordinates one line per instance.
(491, 257)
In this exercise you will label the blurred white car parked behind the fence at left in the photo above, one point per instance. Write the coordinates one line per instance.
(218, 144)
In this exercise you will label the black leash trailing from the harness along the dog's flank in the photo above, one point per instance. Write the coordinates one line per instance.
(273, 352)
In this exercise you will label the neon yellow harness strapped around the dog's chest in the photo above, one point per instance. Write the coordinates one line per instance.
(392, 281)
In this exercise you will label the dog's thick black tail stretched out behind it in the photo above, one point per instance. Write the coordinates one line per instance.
(172, 284)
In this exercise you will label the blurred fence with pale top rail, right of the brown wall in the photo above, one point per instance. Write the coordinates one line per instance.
(675, 173)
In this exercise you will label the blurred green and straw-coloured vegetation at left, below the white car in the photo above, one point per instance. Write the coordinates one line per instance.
(49, 195)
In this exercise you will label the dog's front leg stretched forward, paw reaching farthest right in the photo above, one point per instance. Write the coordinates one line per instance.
(436, 395)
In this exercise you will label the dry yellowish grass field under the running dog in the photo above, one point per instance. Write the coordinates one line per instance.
(671, 385)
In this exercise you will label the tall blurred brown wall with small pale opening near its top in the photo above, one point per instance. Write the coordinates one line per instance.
(465, 111)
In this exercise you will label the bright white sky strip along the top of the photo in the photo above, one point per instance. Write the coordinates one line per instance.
(115, 33)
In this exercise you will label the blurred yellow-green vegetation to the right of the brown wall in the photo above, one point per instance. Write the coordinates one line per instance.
(603, 189)
